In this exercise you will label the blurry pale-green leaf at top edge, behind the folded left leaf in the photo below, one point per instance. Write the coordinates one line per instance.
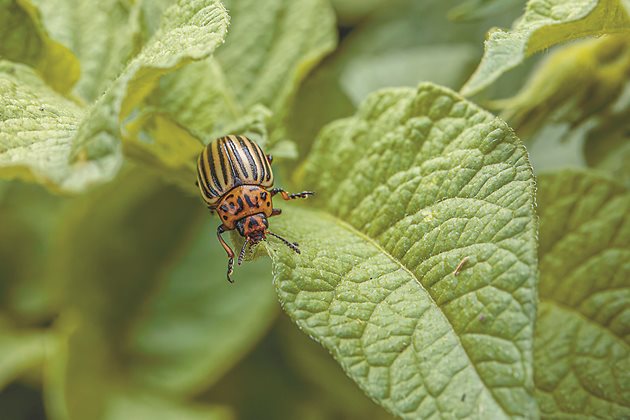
(103, 35)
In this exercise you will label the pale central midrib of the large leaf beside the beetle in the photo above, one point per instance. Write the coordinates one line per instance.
(355, 231)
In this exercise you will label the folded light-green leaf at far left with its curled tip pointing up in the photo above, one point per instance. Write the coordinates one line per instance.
(72, 149)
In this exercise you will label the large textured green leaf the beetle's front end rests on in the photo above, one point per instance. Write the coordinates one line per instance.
(415, 183)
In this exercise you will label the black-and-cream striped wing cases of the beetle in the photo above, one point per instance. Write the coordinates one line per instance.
(228, 162)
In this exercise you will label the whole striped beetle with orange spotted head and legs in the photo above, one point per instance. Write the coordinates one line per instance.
(235, 179)
